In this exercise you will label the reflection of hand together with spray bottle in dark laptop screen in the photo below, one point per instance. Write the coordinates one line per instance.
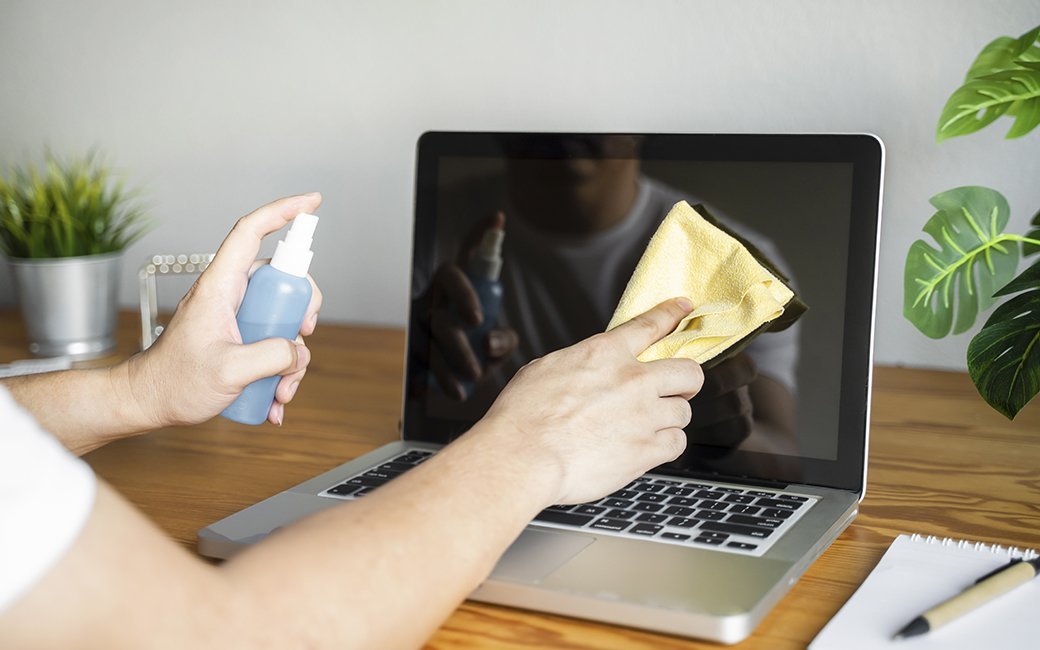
(466, 344)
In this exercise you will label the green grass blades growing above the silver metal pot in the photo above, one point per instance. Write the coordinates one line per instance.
(67, 210)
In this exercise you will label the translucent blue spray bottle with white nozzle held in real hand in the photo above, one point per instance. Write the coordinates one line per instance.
(274, 307)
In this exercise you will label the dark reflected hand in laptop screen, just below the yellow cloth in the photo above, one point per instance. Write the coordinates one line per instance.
(723, 411)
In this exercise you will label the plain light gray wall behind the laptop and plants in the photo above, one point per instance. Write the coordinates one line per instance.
(217, 108)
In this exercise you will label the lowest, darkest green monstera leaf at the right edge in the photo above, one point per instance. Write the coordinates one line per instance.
(1004, 358)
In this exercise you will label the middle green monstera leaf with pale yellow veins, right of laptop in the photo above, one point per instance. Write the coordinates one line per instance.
(947, 288)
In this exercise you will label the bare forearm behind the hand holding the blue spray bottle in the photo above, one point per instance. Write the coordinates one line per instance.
(85, 409)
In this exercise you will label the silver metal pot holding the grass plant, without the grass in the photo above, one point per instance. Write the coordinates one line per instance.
(69, 304)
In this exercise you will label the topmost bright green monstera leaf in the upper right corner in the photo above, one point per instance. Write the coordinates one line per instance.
(1005, 80)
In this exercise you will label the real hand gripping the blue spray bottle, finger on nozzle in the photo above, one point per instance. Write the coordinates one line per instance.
(199, 366)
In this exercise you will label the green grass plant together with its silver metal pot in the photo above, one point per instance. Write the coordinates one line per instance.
(64, 228)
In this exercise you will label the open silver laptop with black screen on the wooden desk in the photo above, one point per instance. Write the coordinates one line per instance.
(704, 547)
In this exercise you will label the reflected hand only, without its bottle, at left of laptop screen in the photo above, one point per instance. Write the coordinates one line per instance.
(457, 318)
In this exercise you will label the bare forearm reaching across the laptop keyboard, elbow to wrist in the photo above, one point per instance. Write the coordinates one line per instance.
(386, 570)
